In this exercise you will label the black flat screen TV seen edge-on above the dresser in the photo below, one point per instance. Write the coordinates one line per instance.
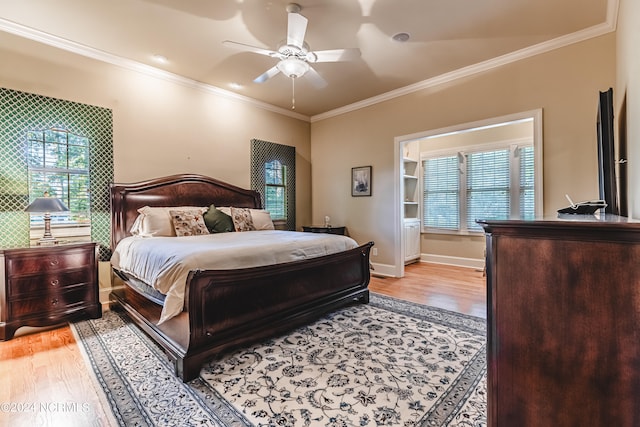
(606, 153)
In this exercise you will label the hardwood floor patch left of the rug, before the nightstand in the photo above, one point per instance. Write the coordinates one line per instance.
(45, 382)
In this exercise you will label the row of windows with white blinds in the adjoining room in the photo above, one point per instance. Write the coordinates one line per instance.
(461, 187)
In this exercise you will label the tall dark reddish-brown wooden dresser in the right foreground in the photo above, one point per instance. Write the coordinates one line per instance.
(563, 322)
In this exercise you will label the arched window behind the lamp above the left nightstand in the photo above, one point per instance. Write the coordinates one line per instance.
(58, 163)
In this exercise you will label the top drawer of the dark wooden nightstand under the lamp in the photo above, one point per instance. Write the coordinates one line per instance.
(47, 262)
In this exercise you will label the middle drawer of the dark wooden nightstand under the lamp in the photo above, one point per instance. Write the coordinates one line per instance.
(46, 283)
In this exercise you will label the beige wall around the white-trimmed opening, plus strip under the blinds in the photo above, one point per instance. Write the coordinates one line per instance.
(564, 83)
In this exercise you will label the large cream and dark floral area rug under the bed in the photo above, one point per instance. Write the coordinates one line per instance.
(387, 363)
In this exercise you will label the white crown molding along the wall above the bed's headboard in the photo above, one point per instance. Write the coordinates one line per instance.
(89, 52)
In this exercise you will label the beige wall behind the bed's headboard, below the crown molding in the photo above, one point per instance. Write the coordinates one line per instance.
(160, 127)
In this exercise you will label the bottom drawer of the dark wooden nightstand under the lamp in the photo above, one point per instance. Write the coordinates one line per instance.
(62, 301)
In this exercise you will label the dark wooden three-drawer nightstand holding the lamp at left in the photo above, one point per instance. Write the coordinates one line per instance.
(44, 286)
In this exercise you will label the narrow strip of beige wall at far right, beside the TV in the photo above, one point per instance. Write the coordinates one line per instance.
(628, 91)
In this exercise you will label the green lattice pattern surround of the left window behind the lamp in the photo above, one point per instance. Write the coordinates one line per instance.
(21, 112)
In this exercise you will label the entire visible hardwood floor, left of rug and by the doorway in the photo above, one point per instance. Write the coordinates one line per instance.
(45, 381)
